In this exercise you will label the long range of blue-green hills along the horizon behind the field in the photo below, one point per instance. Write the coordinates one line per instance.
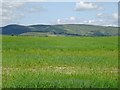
(64, 30)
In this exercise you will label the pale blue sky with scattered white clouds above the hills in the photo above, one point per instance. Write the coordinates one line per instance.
(28, 13)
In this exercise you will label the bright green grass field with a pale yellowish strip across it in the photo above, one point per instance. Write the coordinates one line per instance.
(60, 62)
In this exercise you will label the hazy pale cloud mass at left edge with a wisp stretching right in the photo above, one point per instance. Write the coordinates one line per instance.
(10, 14)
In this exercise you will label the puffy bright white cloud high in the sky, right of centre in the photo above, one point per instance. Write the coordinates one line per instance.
(83, 6)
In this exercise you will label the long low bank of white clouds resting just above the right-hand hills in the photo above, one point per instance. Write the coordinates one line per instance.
(95, 21)
